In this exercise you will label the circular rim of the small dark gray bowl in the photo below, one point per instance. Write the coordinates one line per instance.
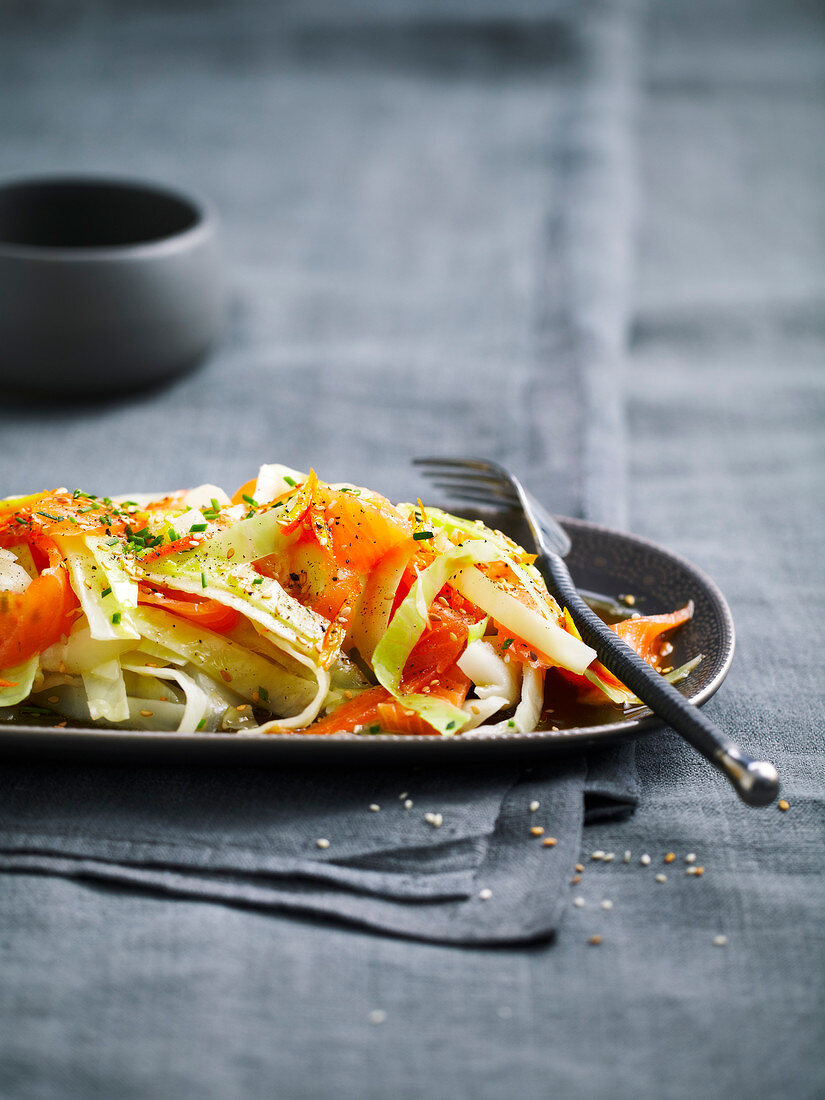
(203, 227)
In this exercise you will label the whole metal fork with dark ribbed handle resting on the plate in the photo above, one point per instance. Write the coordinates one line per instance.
(489, 485)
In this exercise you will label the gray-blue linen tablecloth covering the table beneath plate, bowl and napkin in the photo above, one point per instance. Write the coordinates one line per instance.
(112, 992)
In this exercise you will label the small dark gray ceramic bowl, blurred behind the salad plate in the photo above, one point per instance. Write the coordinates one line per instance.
(106, 285)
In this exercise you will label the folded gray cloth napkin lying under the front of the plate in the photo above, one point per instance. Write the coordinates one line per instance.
(311, 841)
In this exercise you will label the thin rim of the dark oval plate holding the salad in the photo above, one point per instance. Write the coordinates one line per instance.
(17, 736)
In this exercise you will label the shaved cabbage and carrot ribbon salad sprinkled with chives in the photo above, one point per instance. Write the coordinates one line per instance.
(294, 607)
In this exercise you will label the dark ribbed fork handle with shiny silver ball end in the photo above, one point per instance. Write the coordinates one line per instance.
(755, 782)
